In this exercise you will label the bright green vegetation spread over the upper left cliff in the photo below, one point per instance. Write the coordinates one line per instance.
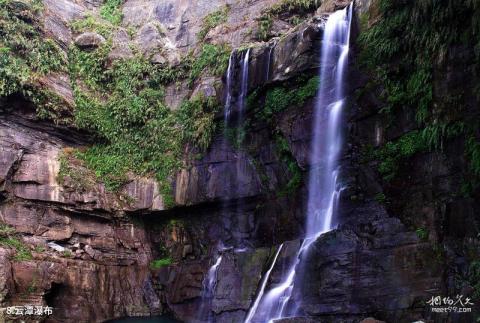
(120, 102)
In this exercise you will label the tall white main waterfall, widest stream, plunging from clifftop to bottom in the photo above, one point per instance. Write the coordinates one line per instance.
(323, 188)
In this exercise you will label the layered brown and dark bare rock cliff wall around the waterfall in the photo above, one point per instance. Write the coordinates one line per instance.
(377, 263)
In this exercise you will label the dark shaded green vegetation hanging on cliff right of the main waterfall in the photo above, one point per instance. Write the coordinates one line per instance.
(405, 48)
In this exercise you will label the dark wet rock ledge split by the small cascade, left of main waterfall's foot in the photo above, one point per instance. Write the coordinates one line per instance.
(238, 276)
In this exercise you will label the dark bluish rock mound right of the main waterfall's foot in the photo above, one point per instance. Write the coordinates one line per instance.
(372, 263)
